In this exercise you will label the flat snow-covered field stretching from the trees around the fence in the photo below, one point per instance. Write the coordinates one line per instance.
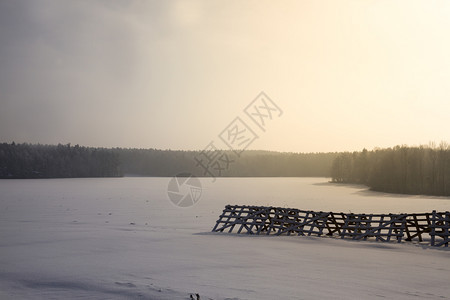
(121, 238)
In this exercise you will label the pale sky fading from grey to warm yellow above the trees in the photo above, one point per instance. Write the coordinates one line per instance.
(345, 75)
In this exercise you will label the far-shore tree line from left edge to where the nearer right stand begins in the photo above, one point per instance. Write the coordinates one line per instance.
(60, 161)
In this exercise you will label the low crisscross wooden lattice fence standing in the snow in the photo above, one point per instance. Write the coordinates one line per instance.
(426, 227)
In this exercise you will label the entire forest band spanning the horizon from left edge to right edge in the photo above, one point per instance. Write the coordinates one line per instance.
(401, 169)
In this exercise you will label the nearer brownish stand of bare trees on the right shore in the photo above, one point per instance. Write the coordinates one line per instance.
(407, 170)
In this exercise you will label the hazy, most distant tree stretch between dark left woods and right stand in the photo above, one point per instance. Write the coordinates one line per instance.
(250, 163)
